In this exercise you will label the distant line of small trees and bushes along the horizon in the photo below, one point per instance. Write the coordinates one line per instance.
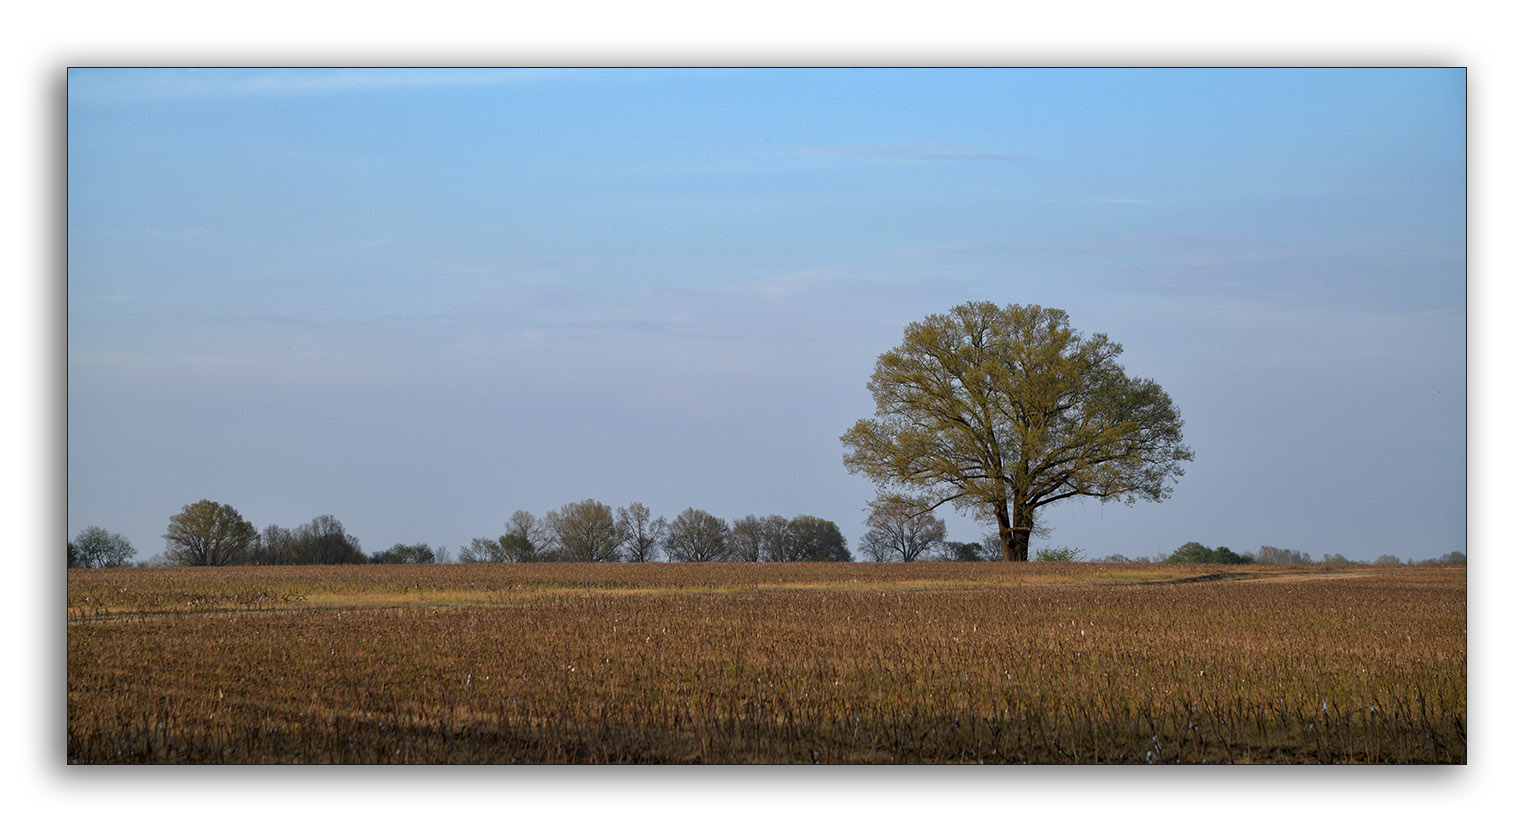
(216, 535)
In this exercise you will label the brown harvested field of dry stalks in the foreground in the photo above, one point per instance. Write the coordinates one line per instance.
(768, 664)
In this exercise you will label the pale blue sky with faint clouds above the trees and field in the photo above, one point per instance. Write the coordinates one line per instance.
(424, 300)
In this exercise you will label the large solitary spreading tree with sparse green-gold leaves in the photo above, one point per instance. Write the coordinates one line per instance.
(1004, 412)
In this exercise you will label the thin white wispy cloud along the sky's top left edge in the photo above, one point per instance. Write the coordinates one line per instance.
(211, 84)
